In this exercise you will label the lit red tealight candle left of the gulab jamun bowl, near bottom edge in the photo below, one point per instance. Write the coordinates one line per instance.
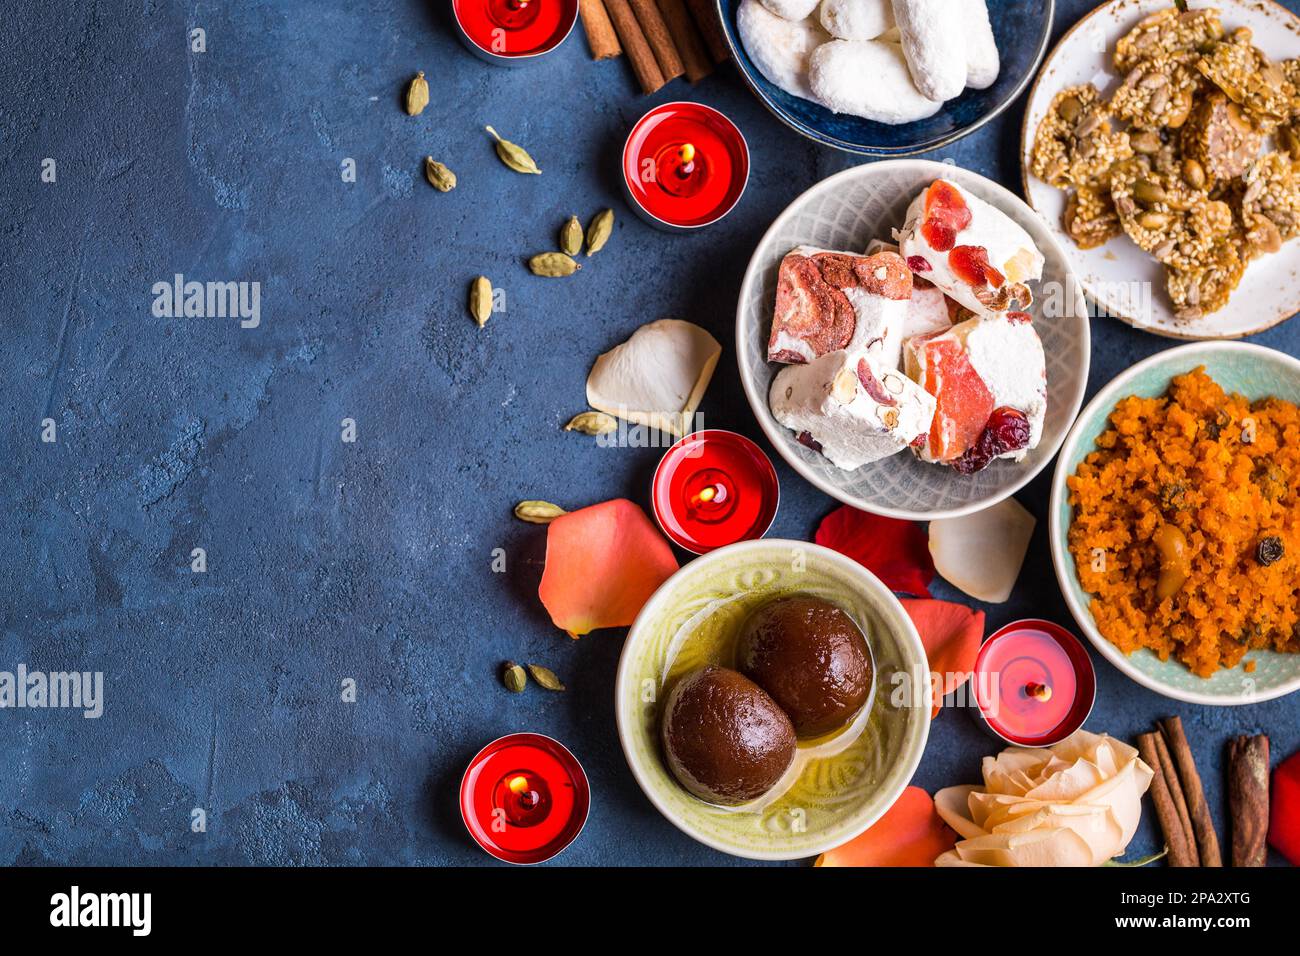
(525, 798)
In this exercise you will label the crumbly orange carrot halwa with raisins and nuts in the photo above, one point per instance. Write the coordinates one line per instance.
(1227, 475)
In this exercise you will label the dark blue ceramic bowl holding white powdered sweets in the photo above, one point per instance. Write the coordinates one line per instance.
(1022, 29)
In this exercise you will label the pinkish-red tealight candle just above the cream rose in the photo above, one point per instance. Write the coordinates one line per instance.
(1034, 684)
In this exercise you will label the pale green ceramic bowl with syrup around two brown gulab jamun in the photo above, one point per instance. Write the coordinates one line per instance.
(839, 786)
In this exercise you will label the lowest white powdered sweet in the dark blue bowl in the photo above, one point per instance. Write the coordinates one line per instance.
(868, 79)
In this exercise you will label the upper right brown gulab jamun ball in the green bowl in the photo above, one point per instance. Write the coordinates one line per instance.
(812, 659)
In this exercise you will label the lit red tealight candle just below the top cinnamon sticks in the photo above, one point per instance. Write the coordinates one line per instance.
(684, 166)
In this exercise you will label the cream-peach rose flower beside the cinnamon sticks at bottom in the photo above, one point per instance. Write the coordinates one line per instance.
(1076, 804)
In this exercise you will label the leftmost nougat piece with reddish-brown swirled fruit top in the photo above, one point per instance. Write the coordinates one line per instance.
(831, 301)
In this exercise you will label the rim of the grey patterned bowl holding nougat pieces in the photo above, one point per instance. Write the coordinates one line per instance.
(775, 434)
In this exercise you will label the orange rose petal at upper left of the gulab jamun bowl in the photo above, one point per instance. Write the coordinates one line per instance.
(603, 565)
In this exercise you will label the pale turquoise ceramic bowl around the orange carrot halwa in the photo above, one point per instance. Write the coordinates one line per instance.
(1251, 370)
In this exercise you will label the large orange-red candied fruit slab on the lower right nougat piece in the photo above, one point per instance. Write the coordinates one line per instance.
(963, 401)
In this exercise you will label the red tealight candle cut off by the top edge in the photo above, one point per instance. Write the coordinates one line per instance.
(512, 32)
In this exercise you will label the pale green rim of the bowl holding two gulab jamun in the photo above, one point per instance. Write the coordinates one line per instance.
(908, 634)
